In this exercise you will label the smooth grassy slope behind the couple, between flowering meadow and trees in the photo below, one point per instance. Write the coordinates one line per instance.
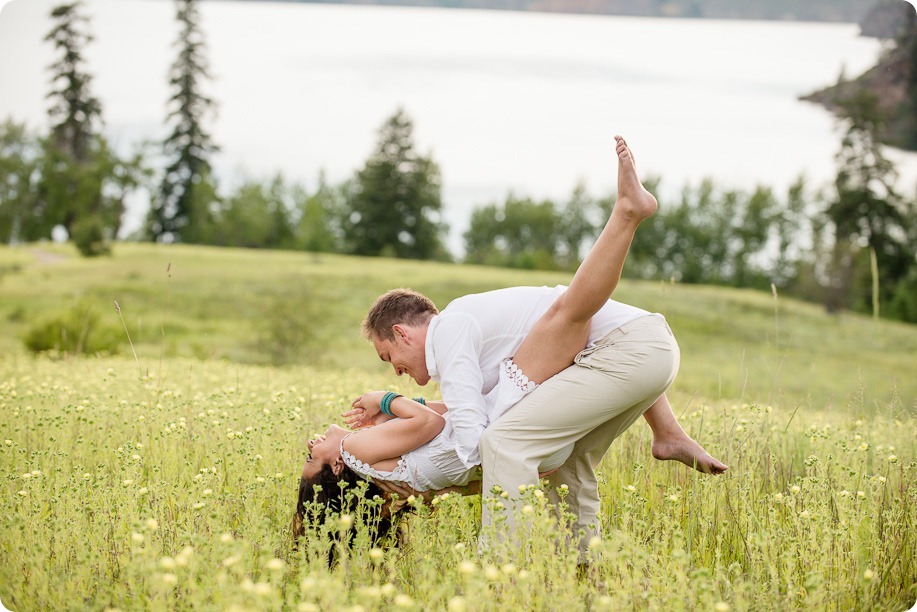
(260, 306)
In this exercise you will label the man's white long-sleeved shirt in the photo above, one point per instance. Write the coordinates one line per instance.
(469, 339)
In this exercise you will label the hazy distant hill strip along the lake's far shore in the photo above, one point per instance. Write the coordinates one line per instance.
(798, 10)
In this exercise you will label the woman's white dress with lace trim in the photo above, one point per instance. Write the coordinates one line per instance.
(436, 464)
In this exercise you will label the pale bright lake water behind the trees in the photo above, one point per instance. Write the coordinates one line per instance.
(504, 101)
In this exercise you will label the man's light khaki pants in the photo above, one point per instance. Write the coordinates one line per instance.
(609, 386)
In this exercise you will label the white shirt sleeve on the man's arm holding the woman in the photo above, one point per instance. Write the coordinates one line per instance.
(457, 350)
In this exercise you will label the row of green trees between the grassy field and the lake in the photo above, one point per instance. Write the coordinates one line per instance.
(850, 244)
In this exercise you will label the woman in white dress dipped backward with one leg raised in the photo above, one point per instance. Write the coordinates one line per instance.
(415, 446)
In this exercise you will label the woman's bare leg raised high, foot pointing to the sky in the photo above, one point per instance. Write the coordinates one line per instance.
(563, 330)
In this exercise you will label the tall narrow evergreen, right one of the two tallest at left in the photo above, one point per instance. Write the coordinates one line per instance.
(186, 194)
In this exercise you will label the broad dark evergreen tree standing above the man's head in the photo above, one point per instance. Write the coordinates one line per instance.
(394, 202)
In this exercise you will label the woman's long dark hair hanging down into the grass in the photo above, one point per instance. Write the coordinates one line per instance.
(329, 494)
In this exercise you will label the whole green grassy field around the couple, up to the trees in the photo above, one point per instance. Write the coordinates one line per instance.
(168, 480)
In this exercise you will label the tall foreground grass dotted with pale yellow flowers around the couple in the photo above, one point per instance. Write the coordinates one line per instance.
(177, 494)
